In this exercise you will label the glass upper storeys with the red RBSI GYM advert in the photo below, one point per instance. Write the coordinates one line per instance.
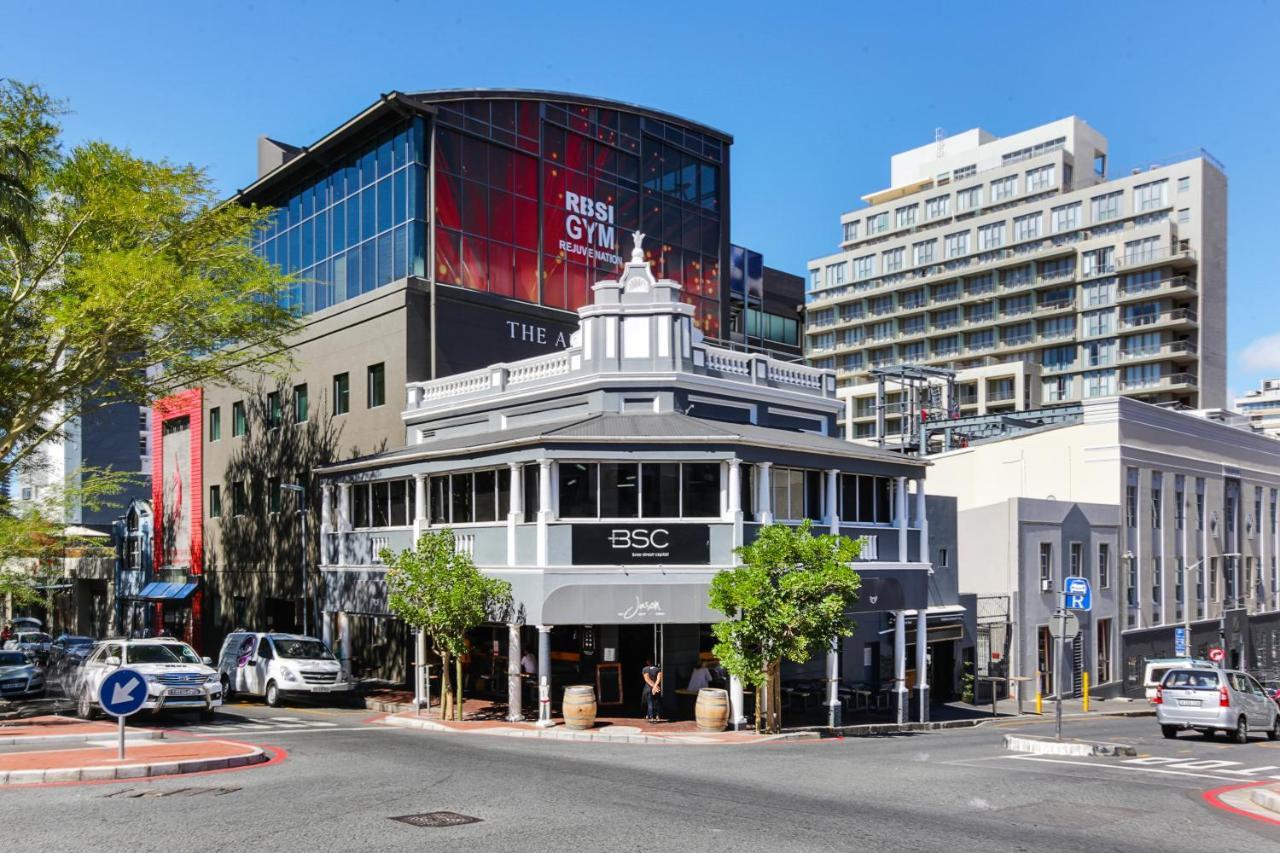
(513, 194)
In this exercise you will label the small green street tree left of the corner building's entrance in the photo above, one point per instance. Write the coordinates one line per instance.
(440, 592)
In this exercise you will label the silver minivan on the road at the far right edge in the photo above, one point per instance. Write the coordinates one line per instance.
(1214, 701)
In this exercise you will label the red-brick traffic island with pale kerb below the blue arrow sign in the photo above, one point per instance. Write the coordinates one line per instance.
(60, 750)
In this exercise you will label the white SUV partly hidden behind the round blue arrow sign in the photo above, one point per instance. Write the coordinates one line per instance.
(177, 678)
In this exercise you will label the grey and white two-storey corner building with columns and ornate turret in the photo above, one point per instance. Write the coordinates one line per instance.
(609, 483)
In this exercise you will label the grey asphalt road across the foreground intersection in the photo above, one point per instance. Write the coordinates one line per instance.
(957, 791)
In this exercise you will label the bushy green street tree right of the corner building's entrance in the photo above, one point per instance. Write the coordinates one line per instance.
(788, 601)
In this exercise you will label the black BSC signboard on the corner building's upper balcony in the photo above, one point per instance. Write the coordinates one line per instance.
(642, 545)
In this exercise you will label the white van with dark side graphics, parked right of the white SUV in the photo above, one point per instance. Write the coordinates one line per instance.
(276, 665)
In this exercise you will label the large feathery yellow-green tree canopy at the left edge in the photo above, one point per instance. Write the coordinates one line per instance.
(122, 280)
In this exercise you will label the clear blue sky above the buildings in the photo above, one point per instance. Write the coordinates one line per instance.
(817, 95)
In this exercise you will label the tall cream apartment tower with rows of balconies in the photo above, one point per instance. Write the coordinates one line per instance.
(1022, 261)
